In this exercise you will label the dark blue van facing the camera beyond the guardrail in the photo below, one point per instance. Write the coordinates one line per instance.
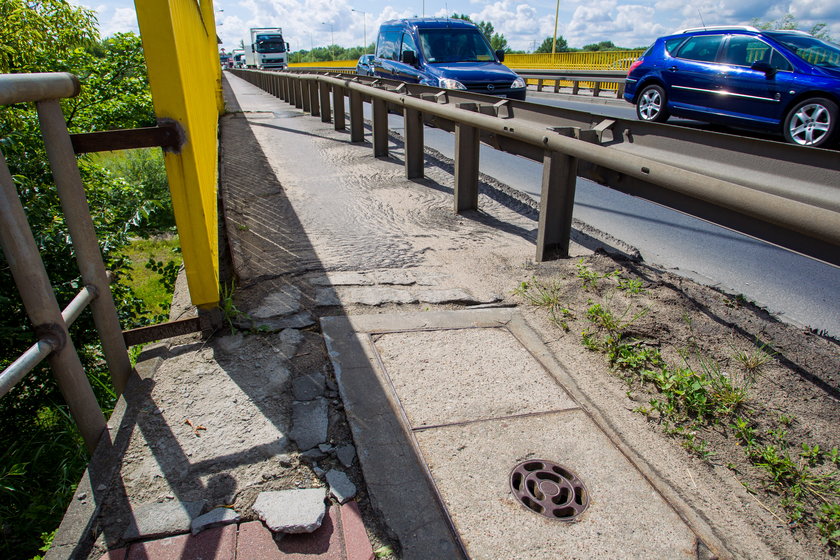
(446, 53)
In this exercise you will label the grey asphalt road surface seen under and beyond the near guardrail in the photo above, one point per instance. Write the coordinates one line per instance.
(797, 289)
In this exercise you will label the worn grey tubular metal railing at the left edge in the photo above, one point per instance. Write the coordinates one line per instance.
(49, 321)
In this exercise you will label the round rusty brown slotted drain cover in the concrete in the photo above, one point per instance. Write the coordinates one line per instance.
(549, 489)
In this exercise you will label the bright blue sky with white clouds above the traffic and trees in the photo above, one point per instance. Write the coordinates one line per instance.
(349, 23)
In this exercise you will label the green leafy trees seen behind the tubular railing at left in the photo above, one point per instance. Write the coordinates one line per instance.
(56, 36)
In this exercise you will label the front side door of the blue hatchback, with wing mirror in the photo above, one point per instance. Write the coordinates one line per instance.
(751, 91)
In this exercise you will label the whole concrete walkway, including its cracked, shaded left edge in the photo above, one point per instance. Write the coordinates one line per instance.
(353, 281)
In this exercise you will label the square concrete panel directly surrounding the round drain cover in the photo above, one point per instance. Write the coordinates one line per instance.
(626, 518)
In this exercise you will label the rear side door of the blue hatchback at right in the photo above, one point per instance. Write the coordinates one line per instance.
(691, 78)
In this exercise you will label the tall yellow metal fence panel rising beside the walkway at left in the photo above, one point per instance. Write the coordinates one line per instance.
(179, 41)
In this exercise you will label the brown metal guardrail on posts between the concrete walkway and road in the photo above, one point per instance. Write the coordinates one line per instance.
(783, 194)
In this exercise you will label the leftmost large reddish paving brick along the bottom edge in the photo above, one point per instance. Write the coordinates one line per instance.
(213, 544)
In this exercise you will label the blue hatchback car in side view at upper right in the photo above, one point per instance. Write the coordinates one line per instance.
(781, 81)
